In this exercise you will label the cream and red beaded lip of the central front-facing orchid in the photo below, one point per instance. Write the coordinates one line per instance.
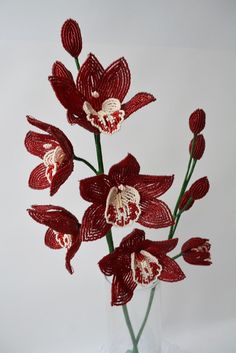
(122, 205)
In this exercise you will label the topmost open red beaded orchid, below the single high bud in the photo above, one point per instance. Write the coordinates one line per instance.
(95, 102)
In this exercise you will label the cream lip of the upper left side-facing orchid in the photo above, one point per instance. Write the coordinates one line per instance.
(52, 160)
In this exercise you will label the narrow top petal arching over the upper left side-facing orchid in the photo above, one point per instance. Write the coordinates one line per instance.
(56, 133)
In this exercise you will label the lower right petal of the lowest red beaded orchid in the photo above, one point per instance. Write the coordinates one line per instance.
(171, 272)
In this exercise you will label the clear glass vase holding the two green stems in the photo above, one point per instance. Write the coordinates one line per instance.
(135, 327)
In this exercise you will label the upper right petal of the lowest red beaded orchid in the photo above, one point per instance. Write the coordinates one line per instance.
(160, 247)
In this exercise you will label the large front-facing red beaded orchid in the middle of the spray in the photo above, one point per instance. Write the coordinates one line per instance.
(123, 197)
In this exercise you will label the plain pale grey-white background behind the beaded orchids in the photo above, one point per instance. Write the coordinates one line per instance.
(184, 53)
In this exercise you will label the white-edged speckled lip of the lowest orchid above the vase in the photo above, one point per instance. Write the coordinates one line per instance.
(145, 268)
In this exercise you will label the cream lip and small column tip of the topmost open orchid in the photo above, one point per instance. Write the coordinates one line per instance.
(107, 120)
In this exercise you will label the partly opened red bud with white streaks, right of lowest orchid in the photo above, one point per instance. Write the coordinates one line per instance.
(196, 251)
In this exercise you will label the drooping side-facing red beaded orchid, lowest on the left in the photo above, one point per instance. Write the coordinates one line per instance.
(63, 229)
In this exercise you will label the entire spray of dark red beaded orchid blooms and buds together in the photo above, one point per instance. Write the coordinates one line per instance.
(123, 196)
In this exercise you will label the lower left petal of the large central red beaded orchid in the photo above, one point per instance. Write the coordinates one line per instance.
(94, 225)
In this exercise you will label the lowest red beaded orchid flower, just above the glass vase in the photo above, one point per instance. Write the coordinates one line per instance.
(139, 262)
